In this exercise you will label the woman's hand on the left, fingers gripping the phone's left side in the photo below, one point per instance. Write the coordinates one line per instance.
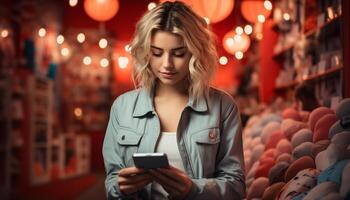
(133, 179)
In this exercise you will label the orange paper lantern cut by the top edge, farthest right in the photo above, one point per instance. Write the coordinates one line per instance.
(251, 9)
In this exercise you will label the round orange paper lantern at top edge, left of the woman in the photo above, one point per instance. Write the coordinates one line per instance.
(101, 10)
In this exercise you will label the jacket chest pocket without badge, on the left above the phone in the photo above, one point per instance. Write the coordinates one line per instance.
(129, 142)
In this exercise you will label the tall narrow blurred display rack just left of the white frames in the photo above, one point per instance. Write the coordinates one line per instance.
(40, 99)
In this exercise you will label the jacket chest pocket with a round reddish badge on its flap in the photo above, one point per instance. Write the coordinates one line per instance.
(204, 151)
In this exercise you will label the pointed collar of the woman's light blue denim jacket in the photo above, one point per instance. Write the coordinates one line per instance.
(144, 103)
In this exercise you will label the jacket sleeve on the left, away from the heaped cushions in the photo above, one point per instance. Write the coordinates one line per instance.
(112, 157)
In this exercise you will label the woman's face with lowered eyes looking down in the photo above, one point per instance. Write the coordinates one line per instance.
(169, 58)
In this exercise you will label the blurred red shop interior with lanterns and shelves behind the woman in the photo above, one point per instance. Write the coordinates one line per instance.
(63, 63)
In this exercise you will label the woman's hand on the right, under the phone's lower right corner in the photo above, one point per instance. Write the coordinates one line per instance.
(174, 181)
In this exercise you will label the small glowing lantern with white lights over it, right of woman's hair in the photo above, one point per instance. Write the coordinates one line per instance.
(233, 42)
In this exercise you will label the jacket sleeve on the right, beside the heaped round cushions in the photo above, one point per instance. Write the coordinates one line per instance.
(229, 178)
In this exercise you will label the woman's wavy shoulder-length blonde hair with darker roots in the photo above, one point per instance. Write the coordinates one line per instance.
(175, 17)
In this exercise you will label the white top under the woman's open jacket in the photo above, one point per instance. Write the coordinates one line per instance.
(167, 144)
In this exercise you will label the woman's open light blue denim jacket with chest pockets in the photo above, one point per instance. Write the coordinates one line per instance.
(209, 138)
